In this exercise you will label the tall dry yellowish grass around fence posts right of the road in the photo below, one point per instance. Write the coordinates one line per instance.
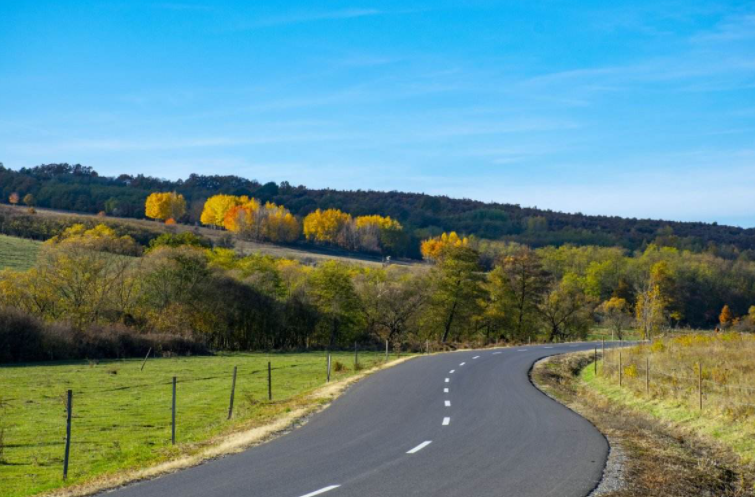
(722, 364)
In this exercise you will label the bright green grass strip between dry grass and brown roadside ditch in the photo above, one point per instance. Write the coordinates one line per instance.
(737, 434)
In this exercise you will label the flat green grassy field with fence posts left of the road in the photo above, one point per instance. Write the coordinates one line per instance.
(122, 415)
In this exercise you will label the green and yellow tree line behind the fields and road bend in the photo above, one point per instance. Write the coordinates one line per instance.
(180, 286)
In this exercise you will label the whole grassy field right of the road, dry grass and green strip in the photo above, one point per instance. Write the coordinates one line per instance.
(670, 389)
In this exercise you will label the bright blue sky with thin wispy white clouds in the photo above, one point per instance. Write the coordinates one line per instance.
(633, 108)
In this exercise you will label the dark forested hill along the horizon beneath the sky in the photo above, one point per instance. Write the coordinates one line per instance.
(79, 188)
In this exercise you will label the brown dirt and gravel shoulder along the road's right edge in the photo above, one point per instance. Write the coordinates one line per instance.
(648, 457)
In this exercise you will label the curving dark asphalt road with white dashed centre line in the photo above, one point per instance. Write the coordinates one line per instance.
(459, 424)
